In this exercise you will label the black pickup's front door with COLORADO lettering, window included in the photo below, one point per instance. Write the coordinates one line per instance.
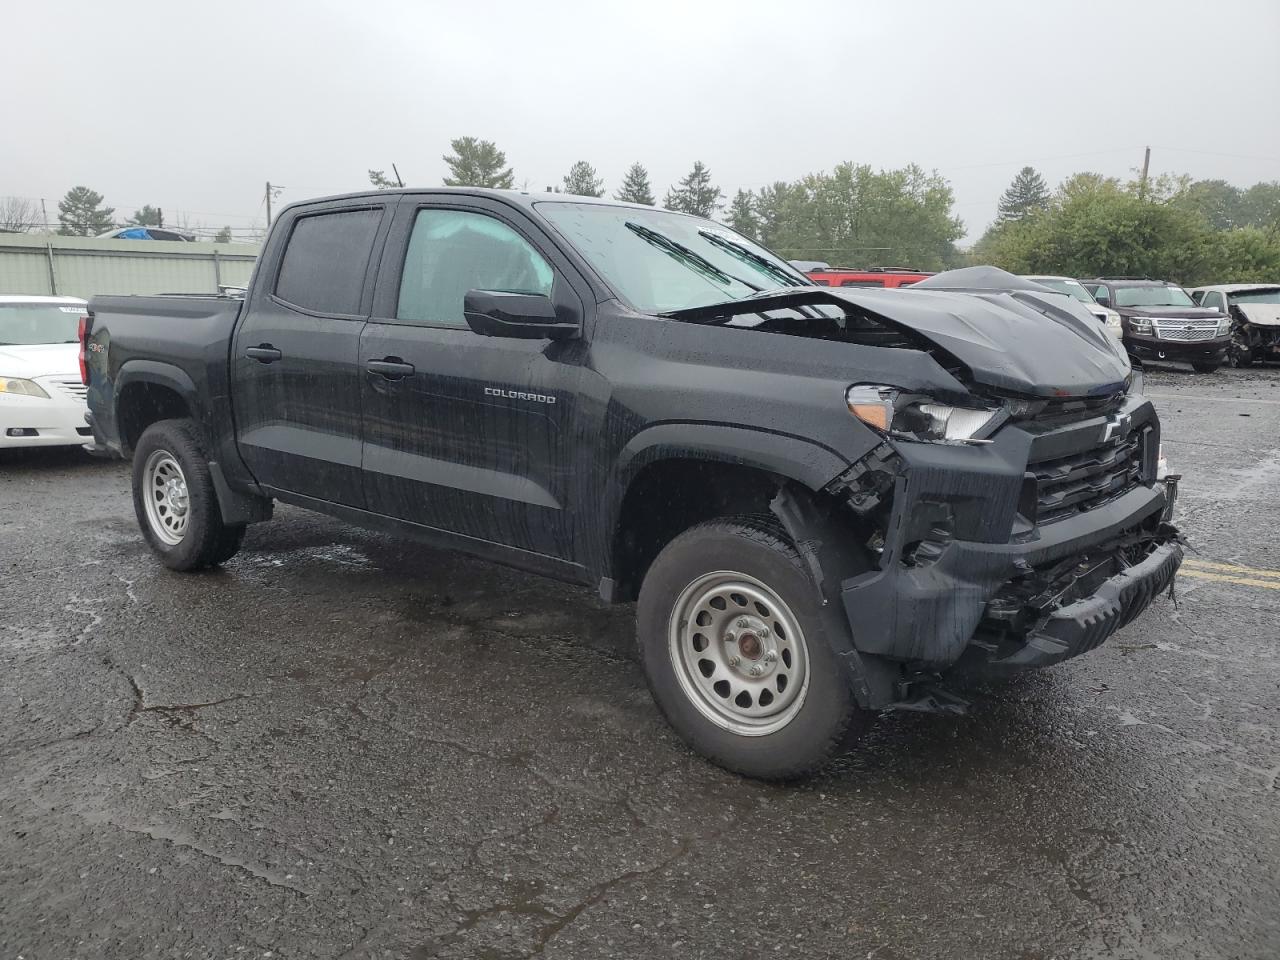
(464, 433)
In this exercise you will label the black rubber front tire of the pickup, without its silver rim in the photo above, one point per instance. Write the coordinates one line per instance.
(828, 716)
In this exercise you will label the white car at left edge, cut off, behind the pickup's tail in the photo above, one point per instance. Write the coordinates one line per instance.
(42, 394)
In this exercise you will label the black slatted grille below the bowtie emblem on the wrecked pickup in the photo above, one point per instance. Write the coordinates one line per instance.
(1071, 486)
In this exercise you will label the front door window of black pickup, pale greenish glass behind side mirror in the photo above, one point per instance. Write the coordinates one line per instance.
(455, 252)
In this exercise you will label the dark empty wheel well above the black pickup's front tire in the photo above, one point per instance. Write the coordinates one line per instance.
(671, 496)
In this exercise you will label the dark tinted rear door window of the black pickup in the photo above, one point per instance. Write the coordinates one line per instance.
(326, 260)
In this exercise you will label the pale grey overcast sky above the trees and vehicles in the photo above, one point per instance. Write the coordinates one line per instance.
(193, 108)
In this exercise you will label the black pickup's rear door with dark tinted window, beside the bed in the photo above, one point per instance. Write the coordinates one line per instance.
(296, 354)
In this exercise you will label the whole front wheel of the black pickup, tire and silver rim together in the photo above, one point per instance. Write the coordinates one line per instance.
(735, 651)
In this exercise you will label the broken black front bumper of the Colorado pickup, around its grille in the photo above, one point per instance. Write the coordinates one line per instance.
(958, 543)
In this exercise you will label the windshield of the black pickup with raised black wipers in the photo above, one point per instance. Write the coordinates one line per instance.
(660, 262)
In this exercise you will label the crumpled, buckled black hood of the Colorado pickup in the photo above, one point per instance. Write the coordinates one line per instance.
(1017, 339)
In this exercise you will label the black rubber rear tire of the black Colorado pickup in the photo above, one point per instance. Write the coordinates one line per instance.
(205, 540)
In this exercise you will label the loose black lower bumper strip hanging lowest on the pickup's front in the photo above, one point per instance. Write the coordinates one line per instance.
(1084, 625)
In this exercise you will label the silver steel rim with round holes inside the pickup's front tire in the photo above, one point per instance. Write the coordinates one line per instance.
(739, 653)
